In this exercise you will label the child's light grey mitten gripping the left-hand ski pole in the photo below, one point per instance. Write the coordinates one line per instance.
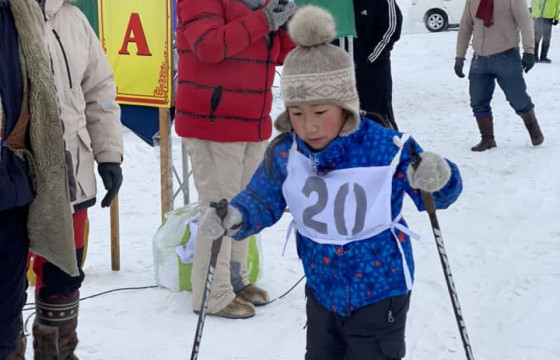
(212, 226)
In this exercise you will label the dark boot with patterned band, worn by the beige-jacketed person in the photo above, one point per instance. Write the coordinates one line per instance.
(54, 329)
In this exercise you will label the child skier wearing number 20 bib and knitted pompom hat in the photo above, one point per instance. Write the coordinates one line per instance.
(343, 179)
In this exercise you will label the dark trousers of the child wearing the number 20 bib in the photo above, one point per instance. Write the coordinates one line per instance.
(375, 332)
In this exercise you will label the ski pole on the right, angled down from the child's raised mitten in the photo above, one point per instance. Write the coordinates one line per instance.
(431, 209)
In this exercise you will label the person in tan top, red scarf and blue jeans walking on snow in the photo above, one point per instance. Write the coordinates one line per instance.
(494, 26)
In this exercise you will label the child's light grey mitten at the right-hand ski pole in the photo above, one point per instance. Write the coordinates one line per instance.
(432, 173)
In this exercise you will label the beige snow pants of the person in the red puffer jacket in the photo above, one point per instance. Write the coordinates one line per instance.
(220, 171)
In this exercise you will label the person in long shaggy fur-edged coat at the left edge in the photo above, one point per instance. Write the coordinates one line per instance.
(35, 211)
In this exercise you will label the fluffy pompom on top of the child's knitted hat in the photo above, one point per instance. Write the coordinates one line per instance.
(311, 26)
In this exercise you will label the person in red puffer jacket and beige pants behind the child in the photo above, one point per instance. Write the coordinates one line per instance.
(228, 53)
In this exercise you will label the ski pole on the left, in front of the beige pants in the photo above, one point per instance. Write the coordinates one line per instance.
(221, 210)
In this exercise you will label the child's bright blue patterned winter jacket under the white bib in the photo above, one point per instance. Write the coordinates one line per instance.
(350, 277)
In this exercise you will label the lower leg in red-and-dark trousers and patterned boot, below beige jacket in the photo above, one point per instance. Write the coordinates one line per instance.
(57, 301)
